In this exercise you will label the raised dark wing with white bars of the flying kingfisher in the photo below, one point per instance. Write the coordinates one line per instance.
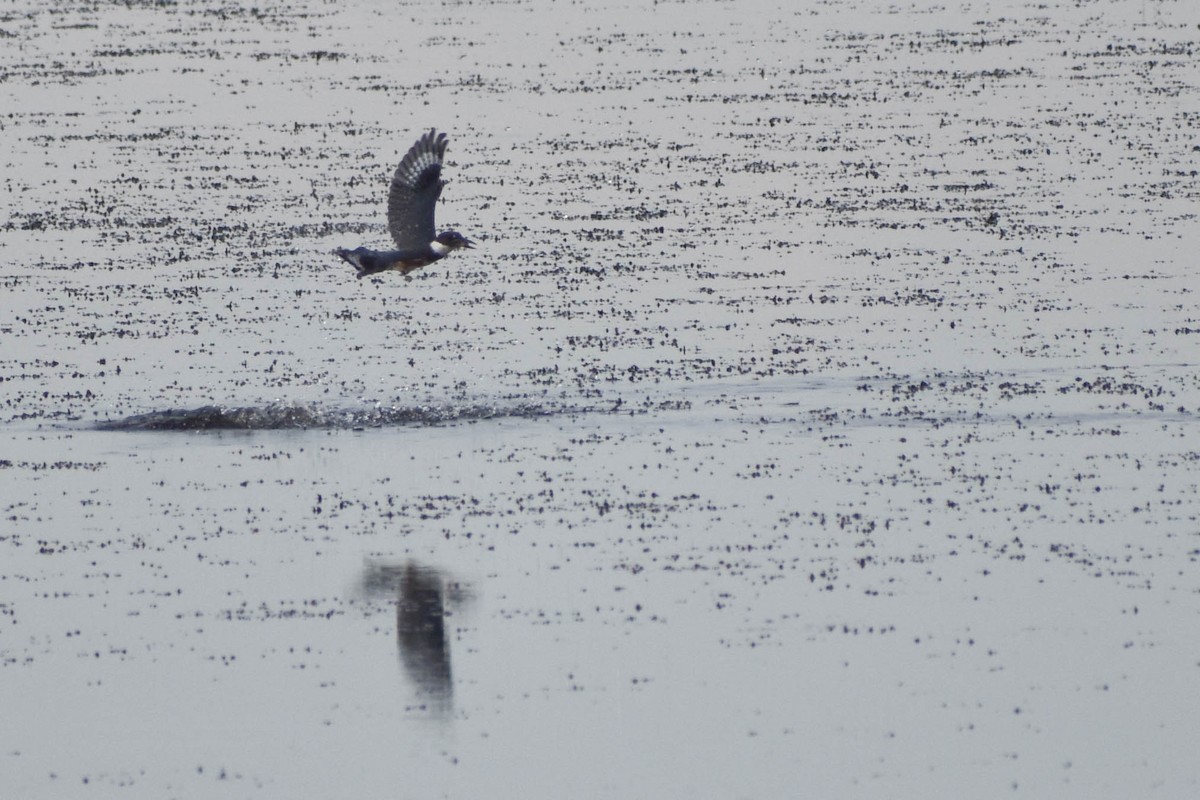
(415, 193)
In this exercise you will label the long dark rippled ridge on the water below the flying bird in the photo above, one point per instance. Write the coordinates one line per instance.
(289, 417)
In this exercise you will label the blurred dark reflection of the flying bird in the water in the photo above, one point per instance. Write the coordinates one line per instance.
(424, 599)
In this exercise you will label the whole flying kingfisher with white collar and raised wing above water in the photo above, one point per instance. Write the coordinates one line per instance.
(415, 193)
